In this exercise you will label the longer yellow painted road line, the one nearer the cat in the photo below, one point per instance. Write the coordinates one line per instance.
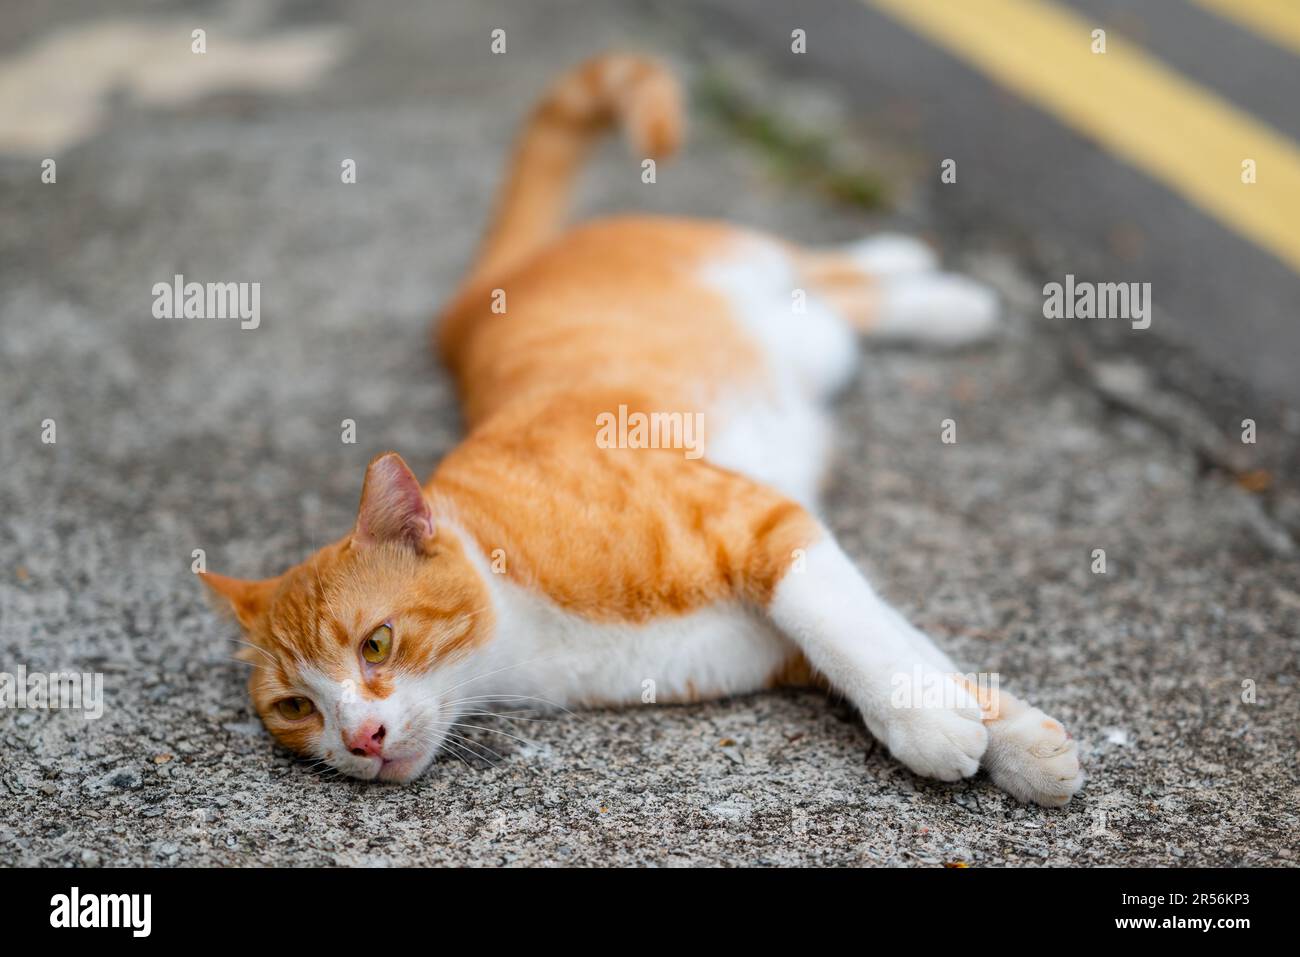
(1141, 110)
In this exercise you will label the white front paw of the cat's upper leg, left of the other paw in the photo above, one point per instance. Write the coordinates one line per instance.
(938, 741)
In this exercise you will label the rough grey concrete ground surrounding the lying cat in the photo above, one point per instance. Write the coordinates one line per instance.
(177, 436)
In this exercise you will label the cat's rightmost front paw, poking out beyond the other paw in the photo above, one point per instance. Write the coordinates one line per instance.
(1034, 759)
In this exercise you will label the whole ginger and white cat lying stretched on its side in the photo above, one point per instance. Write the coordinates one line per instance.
(543, 565)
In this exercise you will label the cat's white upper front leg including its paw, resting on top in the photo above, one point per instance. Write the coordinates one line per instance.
(863, 648)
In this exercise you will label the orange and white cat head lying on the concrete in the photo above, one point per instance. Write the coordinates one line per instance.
(358, 651)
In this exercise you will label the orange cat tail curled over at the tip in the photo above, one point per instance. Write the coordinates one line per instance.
(632, 92)
